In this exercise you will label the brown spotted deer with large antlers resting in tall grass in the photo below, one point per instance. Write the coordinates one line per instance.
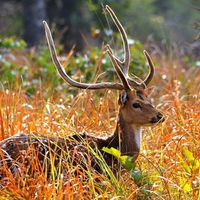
(135, 112)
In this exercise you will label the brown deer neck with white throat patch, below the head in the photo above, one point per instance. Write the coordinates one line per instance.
(126, 138)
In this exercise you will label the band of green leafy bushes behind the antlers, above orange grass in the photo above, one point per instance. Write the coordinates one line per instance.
(18, 64)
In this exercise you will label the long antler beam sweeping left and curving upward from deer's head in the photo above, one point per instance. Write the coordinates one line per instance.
(64, 75)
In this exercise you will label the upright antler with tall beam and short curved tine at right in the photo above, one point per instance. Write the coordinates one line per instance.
(124, 65)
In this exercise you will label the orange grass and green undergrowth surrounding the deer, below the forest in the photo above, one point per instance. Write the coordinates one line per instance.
(169, 164)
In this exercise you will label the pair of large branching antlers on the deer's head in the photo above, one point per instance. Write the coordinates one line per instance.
(121, 67)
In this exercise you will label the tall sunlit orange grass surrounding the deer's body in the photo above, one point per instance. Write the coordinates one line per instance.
(170, 154)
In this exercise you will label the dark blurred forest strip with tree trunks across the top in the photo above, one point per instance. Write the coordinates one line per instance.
(83, 22)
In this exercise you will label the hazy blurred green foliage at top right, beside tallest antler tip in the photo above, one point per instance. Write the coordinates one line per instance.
(161, 21)
